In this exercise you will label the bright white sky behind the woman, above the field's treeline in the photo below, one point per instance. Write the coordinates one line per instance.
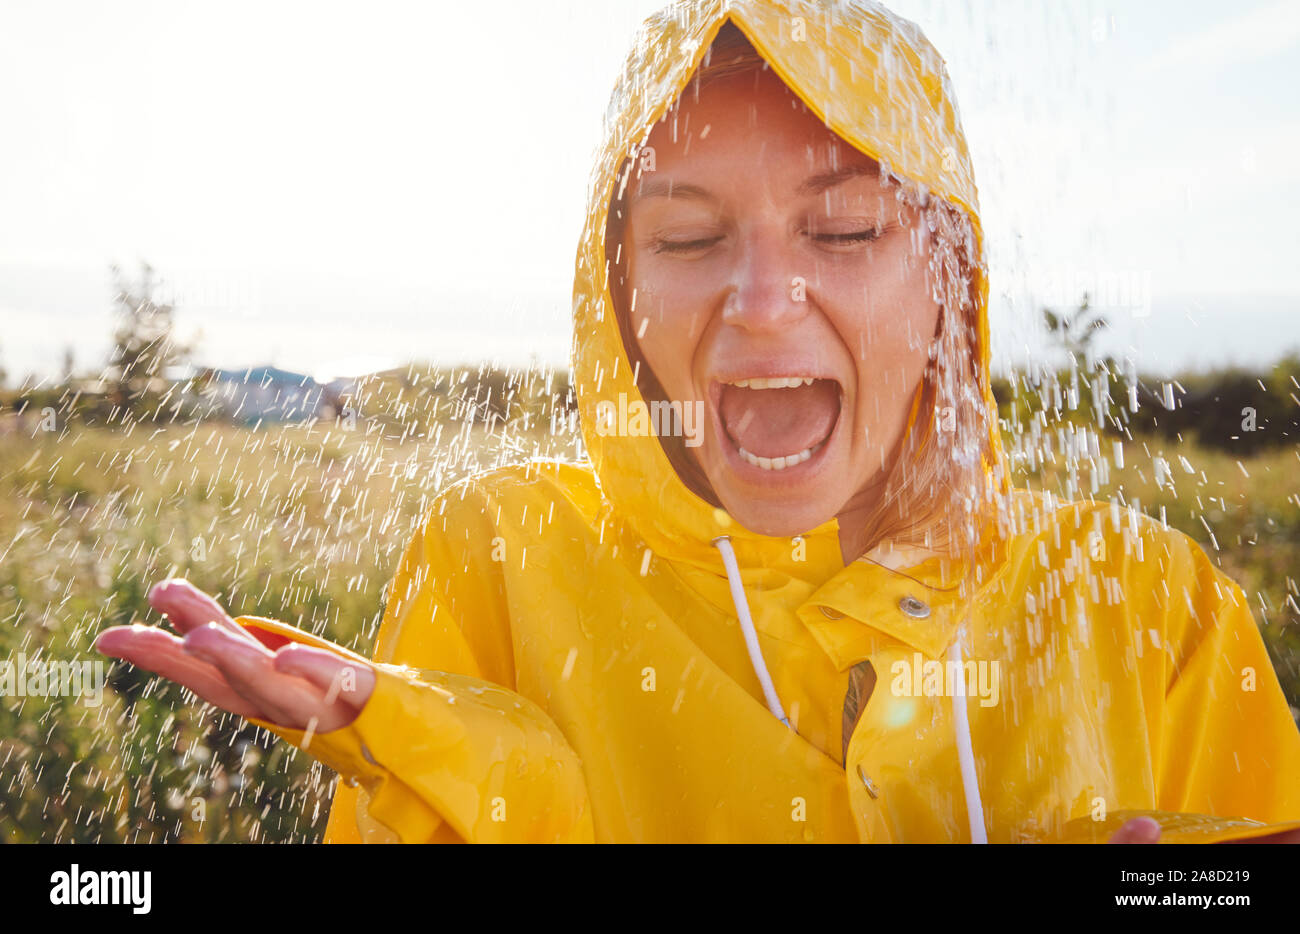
(335, 188)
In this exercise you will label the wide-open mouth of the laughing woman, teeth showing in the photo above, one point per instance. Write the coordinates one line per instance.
(779, 423)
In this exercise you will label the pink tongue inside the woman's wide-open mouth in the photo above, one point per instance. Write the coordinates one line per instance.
(777, 422)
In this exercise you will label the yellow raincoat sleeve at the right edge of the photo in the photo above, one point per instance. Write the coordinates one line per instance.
(1225, 750)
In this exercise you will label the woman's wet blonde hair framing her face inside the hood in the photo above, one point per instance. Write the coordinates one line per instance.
(934, 486)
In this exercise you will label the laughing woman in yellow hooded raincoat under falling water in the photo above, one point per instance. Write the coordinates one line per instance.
(792, 596)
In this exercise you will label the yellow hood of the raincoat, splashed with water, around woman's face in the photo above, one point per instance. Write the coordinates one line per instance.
(876, 81)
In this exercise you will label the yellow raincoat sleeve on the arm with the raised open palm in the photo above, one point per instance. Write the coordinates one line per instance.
(443, 751)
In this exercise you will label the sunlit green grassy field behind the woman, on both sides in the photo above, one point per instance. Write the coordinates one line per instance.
(306, 525)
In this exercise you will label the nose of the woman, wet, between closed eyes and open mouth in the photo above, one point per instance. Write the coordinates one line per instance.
(768, 292)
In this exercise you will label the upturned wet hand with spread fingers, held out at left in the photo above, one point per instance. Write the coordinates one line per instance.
(300, 687)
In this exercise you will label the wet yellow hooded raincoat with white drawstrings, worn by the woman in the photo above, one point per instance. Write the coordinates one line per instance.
(561, 656)
